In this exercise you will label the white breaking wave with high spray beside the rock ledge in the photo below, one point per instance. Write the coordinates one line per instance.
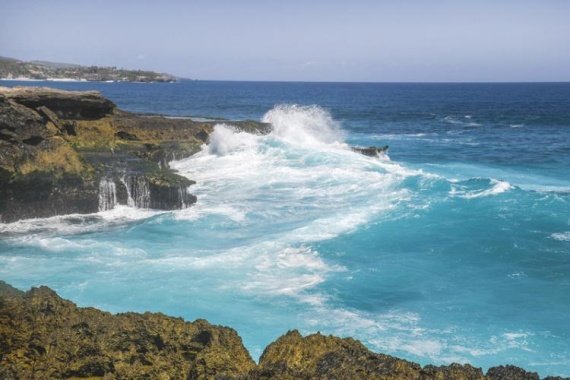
(302, 170)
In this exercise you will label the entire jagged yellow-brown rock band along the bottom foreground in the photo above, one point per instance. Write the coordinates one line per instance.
(43, 336)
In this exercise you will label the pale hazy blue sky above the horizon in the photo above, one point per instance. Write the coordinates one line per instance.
(293, 40)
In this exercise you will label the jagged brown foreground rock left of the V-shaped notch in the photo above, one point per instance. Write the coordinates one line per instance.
(45, 337)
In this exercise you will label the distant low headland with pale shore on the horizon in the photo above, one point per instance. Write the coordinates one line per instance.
(15, 69)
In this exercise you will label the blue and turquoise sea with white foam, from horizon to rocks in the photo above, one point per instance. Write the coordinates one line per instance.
(453, 247)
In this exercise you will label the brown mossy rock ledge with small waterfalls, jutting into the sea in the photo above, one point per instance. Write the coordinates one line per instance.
(65, 152)
